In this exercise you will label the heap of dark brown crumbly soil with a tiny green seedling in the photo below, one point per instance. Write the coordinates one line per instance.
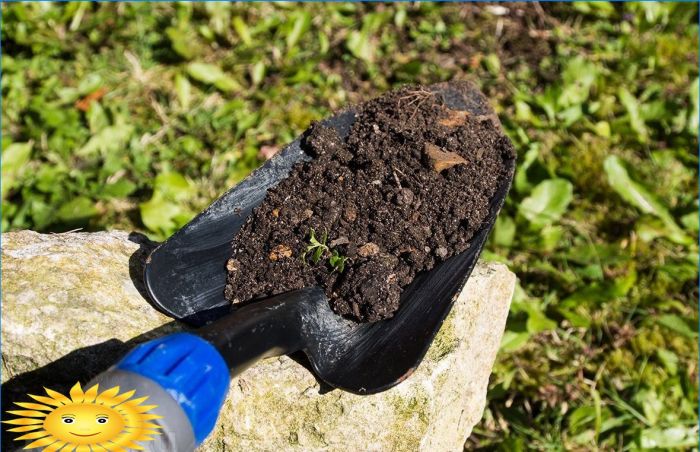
(407, 189)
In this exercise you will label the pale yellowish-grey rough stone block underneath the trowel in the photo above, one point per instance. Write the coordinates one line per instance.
(70, 308)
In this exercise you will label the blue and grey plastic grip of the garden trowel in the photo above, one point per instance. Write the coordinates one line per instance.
(185, 376)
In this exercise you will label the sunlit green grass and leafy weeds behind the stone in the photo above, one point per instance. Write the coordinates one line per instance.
(601, 226)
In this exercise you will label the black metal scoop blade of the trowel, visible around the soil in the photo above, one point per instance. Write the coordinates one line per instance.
(186, 276)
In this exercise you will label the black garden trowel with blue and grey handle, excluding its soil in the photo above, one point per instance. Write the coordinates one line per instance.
(185, 277)
